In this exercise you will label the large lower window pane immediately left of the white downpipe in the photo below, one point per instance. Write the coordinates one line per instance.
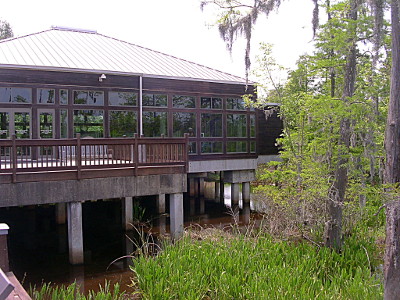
(123, 123)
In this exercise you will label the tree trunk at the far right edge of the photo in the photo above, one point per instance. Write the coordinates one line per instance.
(392, 167)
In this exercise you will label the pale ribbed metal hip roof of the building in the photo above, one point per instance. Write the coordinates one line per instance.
(77, 50)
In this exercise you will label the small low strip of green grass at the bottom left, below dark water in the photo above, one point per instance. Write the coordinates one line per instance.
(73, 292)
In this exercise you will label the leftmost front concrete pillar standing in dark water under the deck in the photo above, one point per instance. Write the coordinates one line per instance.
(75, 232)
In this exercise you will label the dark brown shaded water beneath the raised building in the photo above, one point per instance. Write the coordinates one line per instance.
(38, 246)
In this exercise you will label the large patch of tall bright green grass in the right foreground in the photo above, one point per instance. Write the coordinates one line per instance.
(256, 268)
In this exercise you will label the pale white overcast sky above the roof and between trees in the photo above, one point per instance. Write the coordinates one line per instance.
(175, 27)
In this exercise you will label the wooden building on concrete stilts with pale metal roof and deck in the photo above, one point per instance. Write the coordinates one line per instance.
(99, 95)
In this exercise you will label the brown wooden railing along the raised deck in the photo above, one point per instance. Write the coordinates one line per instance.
(81, 158)
